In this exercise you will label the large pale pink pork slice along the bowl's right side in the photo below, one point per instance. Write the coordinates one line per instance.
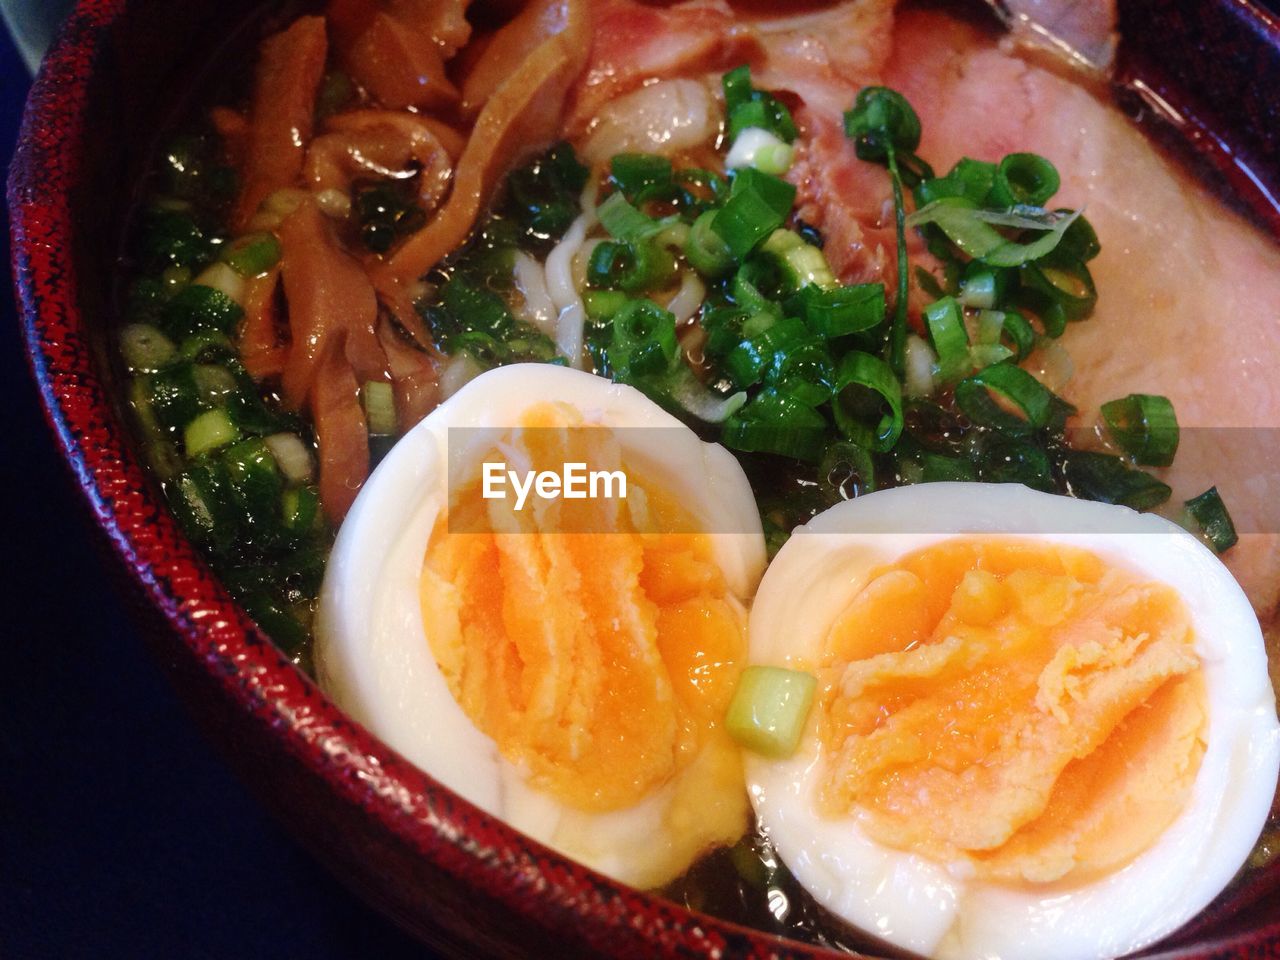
(1188, 292)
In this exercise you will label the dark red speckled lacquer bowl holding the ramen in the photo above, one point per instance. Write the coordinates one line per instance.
(446, 871)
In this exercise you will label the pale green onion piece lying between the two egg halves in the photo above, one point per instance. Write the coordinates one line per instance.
(770, 710)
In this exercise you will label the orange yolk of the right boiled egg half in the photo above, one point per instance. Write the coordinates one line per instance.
(1020, 707)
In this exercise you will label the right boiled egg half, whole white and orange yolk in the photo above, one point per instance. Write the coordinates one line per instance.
(1043, 728)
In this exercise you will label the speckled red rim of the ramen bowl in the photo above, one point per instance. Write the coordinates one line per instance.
(211, 629)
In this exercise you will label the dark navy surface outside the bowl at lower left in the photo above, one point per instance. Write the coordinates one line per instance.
(122, 835)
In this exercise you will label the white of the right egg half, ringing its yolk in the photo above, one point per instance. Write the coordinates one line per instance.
(924, 907)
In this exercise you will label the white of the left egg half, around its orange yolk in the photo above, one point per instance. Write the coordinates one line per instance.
(373, 655)
